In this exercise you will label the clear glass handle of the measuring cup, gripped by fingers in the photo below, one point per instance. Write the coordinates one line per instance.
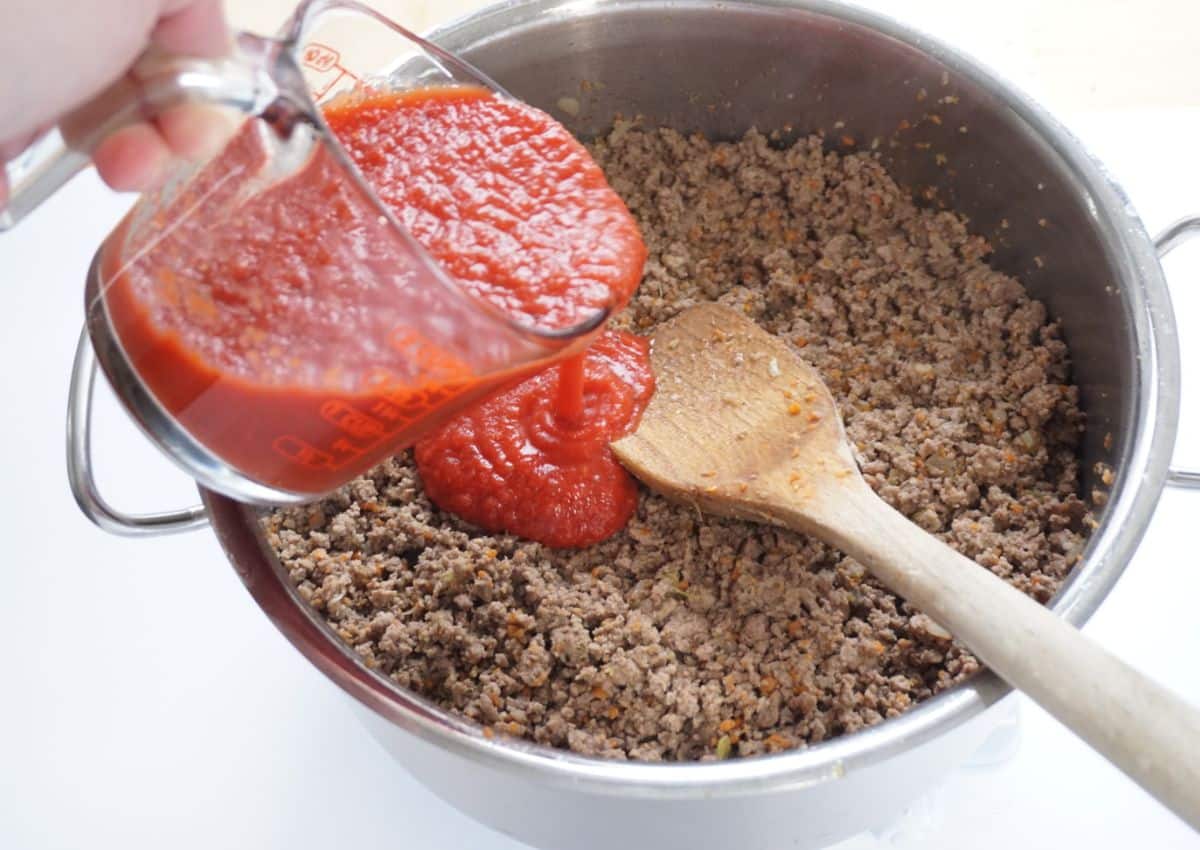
(255, 77)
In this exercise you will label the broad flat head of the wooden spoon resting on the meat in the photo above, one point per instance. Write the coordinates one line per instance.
(739, 426)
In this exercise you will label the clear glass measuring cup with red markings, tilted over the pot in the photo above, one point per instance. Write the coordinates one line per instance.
(394, 349)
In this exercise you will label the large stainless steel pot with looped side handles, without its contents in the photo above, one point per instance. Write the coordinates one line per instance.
(957, 136)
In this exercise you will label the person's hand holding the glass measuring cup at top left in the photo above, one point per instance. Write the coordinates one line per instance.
(58, 55)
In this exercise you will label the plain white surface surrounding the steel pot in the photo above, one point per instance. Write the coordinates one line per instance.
(146, 703)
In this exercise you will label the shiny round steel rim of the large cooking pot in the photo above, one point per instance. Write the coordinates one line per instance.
(1142, 475)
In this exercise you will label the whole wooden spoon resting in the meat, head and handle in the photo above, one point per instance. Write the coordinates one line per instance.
(741, 427)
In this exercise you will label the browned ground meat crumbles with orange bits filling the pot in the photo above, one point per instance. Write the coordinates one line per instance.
(692, 638)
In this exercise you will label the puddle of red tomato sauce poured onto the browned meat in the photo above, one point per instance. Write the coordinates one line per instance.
(517, 464)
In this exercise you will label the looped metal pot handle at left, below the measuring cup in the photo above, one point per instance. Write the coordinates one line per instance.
(83, 484)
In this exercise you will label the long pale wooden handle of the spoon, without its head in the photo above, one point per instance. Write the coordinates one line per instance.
(1141, 727)
